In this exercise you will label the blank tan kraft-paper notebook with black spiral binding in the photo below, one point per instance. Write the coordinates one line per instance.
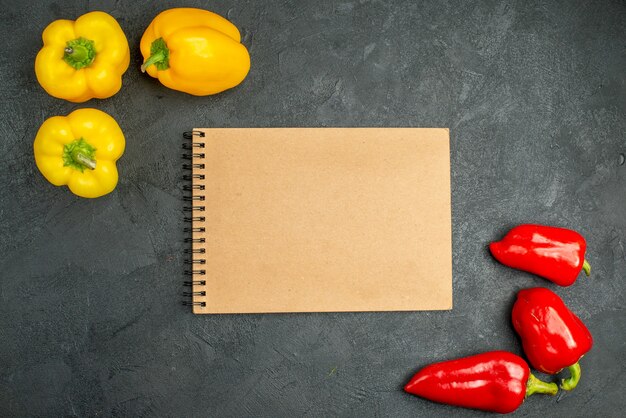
(318, 220)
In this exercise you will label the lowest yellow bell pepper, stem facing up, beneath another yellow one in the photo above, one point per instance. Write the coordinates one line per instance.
(80, 150)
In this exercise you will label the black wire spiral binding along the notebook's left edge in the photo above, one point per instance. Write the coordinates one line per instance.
(193, 261)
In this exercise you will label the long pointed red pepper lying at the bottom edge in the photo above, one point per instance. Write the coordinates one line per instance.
(496, 381)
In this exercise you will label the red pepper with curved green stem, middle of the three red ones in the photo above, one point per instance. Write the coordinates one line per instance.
(553, 337)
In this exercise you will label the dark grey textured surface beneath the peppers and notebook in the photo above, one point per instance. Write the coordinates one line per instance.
(90, 317)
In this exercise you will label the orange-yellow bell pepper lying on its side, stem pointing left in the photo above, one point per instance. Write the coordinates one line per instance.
(194, 51)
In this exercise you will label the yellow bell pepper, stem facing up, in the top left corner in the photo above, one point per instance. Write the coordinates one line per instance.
(83, 59)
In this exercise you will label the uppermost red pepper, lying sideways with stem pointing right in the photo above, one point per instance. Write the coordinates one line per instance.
(557, 254)
